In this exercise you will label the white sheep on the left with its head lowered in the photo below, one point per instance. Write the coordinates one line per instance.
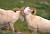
(10, 17)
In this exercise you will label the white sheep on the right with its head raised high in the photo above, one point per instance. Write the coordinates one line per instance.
(36, 23)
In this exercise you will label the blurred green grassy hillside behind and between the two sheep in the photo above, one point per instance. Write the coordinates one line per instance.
(42, 7)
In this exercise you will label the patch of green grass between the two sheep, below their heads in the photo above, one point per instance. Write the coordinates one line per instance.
(21, 25)
